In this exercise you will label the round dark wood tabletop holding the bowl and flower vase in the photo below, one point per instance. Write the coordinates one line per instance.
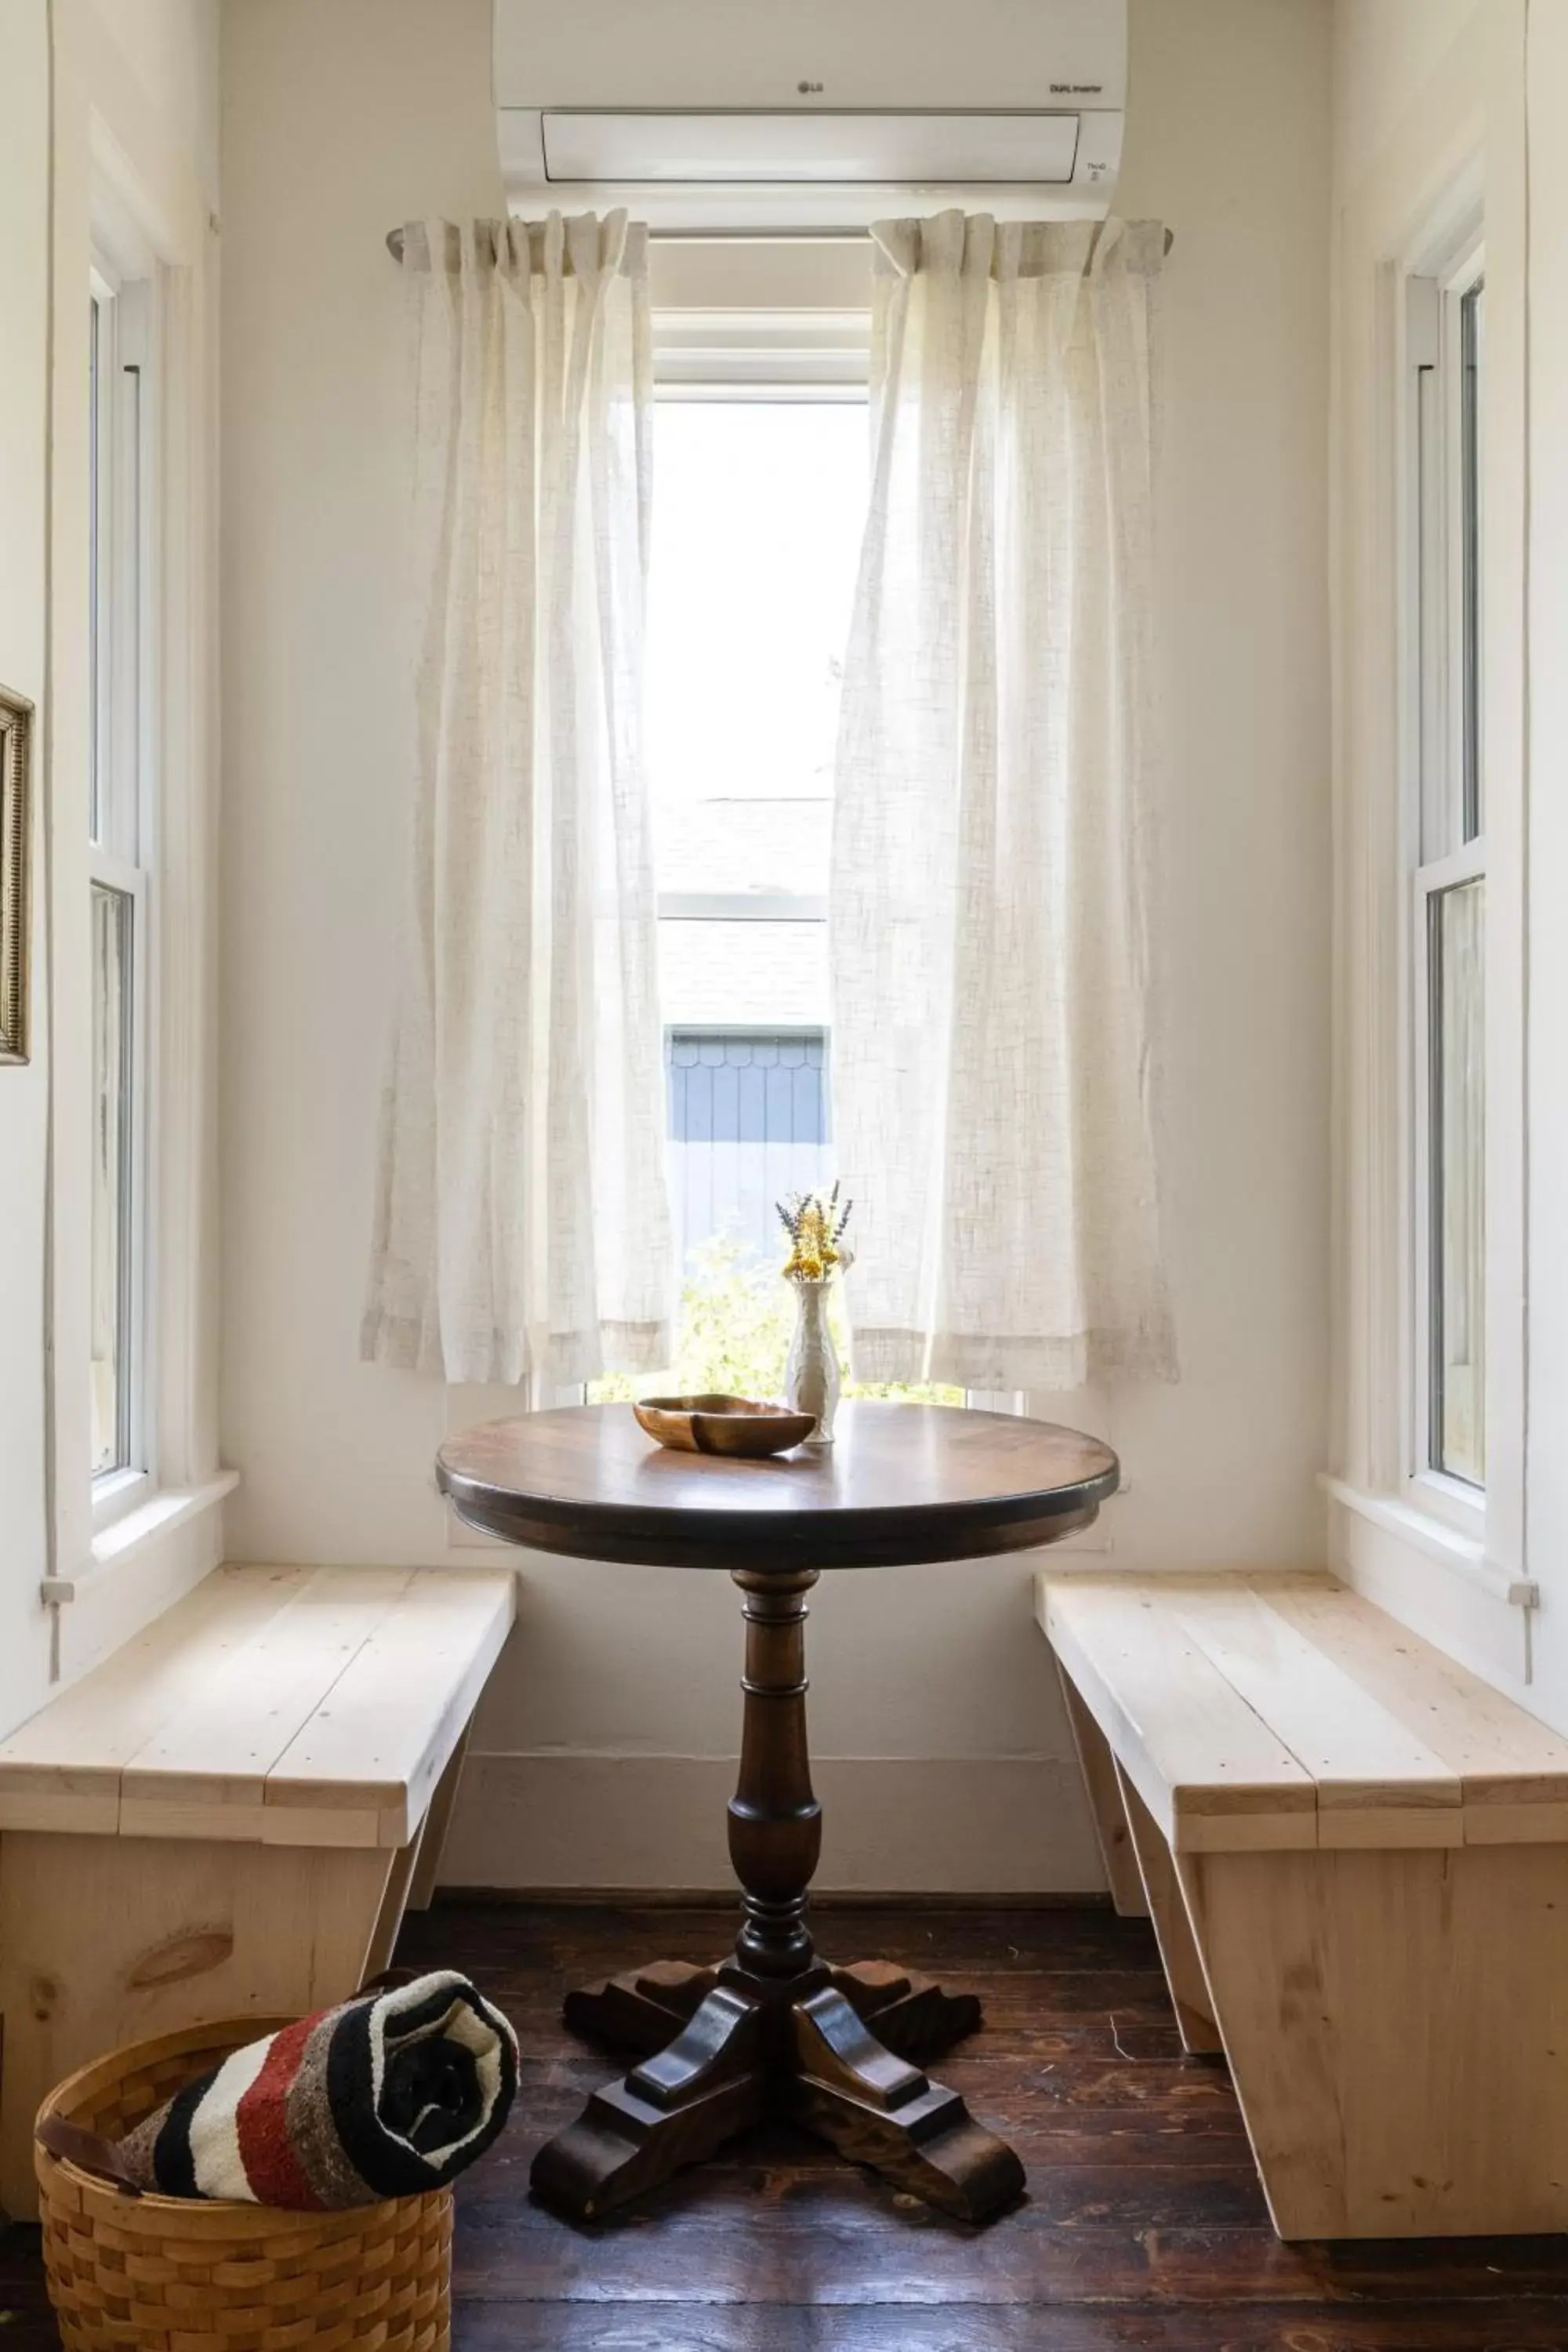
(902, 1483)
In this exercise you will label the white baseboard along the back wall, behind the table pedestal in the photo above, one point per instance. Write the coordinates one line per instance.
(911, 1826)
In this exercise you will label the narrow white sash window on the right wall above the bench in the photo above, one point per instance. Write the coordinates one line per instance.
(1447, 340)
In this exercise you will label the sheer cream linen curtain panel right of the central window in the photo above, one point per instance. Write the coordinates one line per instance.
(991, 1048)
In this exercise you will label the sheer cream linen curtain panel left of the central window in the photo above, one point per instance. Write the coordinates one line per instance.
(521, 1229)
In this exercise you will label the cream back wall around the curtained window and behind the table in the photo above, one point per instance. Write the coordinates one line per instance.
(608, 1735)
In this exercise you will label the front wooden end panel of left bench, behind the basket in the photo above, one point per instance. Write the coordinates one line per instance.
(112, 1939)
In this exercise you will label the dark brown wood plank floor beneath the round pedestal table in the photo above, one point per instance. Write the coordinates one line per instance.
(1144, 2224)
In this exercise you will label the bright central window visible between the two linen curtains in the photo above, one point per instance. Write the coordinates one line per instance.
(758, 521)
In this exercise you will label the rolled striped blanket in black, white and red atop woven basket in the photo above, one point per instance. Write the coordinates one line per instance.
(382, 2097)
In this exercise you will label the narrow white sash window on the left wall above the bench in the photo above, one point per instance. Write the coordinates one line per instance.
(119, 829)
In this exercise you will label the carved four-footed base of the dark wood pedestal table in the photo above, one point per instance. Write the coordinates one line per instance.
(843, 2059)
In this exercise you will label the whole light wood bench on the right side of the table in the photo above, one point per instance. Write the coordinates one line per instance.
(1355, 1857)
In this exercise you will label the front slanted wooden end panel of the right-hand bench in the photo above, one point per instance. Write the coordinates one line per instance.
(1398, 2031)
